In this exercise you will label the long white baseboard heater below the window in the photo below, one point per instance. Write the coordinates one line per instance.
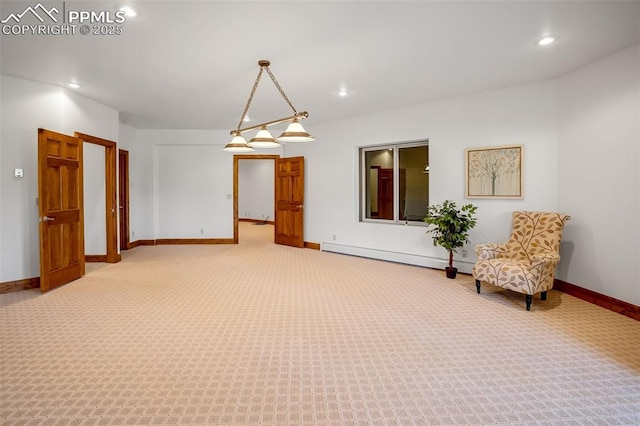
(393, 256)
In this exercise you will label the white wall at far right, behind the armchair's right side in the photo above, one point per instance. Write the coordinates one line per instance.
(599, 179)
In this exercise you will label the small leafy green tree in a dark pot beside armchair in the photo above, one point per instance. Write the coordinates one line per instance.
(450, 228)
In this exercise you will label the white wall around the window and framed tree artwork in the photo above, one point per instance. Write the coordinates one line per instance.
(520, 115)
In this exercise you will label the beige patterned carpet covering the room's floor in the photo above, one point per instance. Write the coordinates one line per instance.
(271, 335)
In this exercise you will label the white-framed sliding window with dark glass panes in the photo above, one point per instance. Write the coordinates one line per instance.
(362, 180)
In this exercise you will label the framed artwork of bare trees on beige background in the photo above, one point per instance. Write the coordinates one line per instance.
(494, 172)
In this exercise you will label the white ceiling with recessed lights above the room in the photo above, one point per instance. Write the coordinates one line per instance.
(191, 64)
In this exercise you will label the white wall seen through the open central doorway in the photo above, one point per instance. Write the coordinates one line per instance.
(256, 189)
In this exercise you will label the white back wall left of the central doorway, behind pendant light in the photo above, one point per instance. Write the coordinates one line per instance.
(205, 173)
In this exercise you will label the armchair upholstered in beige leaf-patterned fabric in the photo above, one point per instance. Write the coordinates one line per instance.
(527, 262)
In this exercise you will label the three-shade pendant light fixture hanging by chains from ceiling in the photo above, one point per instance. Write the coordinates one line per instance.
(264, 139)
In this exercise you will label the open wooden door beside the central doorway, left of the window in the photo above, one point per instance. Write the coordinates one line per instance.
(289, 201)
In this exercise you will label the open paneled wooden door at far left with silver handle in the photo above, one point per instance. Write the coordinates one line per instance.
(61, 210)
